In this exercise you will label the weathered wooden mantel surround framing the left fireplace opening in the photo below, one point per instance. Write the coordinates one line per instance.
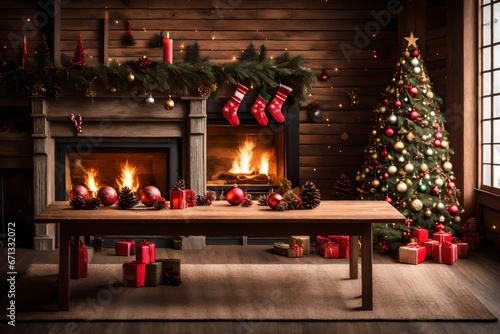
(112, 119)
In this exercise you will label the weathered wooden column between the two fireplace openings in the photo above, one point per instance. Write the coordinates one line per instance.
(197, 173)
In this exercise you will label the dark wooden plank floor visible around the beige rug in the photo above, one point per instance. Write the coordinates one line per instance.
(480, 273)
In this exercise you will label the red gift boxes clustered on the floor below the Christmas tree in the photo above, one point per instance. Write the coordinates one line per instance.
(442, 248)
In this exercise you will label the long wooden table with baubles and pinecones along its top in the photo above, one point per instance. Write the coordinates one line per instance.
(353, 218)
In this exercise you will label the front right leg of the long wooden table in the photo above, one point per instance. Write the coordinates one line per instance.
(367, 267)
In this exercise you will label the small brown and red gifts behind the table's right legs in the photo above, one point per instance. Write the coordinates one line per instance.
(330, 247)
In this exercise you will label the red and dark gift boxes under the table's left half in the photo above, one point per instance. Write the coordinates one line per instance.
(147, 270)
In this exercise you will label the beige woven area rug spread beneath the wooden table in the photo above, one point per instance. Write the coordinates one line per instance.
(291, 292)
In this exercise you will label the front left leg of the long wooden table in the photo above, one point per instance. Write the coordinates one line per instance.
(64, 268)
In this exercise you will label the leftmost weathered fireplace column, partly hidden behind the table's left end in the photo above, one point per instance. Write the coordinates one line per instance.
(44, 233)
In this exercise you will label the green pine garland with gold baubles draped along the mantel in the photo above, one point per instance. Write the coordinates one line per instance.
(191, 77)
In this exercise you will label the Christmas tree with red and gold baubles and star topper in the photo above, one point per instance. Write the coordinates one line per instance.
(407, 161)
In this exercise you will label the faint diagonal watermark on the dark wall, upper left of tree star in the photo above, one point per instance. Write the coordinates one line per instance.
(362, 37)
